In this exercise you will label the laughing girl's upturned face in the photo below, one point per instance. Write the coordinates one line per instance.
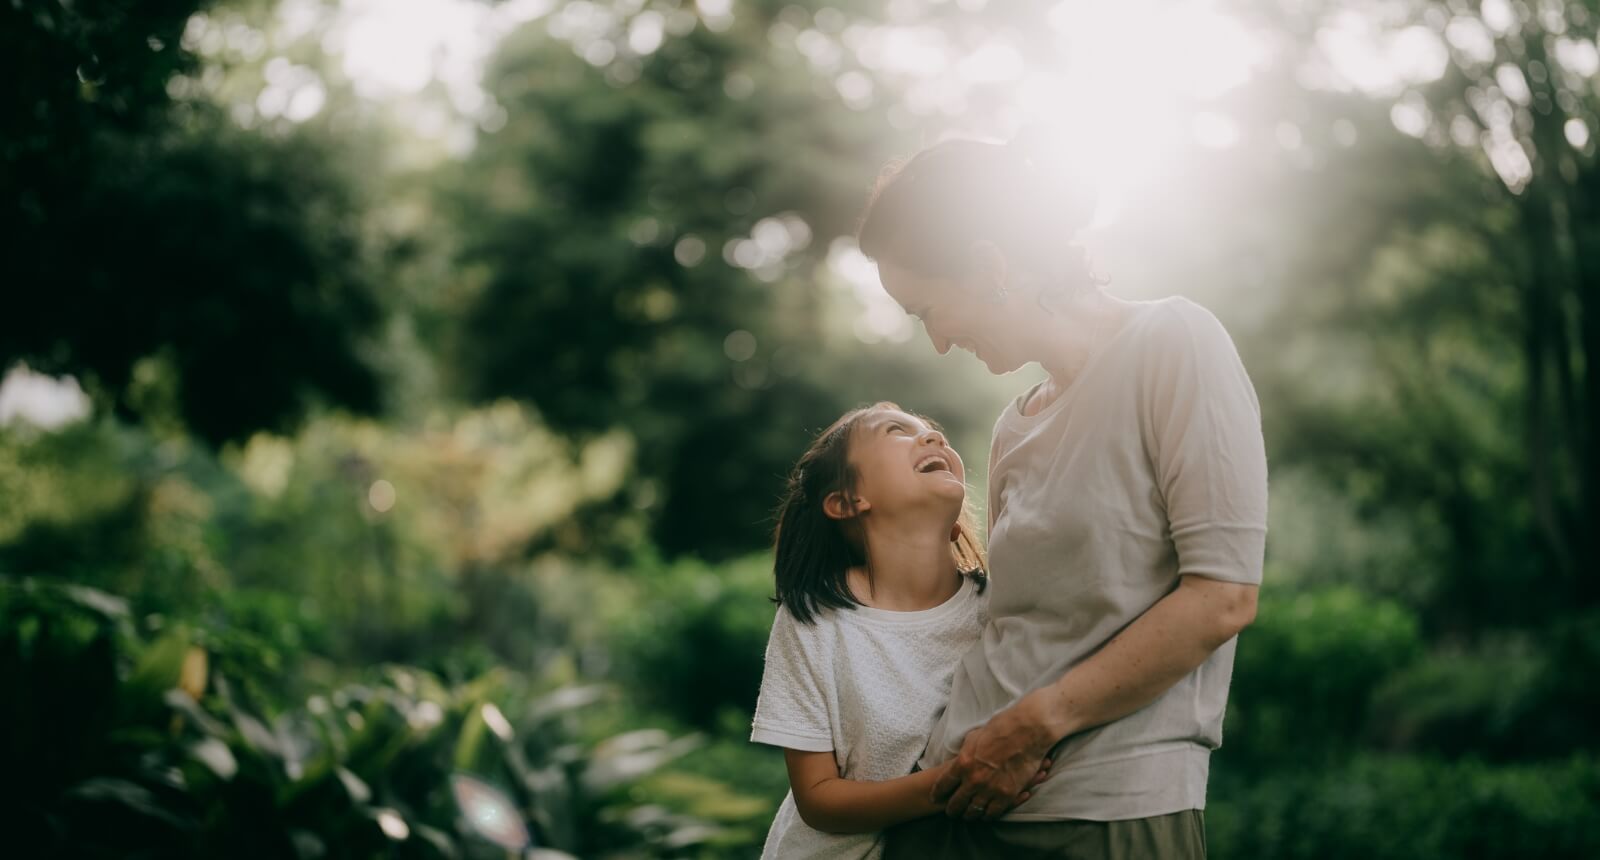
(905, 464)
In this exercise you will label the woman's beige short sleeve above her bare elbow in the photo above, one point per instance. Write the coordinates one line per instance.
(1204, 434)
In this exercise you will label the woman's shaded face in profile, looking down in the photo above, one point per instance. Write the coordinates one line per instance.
(959, 314)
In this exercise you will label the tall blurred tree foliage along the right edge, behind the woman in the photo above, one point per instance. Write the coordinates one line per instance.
(1455, 265)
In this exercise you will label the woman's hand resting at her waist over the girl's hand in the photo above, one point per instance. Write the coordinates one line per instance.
(998, 766)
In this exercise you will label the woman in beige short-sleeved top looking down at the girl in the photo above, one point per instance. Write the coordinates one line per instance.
(1127, 524)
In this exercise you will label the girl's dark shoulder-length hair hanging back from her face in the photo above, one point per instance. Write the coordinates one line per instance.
(814, 552)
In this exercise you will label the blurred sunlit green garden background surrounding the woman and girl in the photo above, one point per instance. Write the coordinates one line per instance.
(398, 392)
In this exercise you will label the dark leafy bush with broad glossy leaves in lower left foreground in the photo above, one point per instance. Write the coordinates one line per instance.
(126, 744)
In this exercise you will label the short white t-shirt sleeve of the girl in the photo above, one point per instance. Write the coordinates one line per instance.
(793, 711)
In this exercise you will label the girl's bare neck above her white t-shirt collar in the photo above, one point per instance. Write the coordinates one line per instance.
(913, 568)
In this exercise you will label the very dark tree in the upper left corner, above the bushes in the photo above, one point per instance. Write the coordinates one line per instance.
(164, 253)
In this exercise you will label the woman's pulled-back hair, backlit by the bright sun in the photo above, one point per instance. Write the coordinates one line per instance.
(927, 212)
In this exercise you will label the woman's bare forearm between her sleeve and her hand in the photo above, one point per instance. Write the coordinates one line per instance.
(1146, 659)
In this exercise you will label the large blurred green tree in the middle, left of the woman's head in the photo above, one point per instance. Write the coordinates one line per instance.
(644, 234)
